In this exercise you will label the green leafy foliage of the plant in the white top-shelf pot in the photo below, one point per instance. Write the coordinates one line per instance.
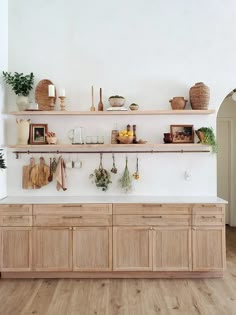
(21, 84)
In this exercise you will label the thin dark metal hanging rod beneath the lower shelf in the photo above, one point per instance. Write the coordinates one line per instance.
(97, 152)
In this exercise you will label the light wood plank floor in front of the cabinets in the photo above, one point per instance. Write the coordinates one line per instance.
(128, 297)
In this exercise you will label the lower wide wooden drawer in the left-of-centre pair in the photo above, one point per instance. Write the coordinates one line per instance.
(72, 220)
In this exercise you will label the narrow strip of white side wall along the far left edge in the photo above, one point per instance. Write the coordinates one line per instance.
(3, 66)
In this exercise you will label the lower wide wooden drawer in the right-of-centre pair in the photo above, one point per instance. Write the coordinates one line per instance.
(146, 219)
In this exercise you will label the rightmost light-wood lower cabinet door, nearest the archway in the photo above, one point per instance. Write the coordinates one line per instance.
(208, 248)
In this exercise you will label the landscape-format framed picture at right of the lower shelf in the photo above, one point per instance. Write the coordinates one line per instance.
(182, 133)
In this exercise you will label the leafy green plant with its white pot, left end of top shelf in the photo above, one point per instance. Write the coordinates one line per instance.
(21, 85)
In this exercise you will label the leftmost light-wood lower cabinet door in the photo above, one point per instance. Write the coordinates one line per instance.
(16, 249)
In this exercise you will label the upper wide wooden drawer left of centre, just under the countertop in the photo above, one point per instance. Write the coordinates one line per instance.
(72, 209)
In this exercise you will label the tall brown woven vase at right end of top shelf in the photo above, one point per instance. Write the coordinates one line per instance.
(199, 95)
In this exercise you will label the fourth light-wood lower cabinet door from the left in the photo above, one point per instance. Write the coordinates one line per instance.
(132, 248)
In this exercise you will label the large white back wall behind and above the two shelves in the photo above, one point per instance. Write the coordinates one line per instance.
(146, 51)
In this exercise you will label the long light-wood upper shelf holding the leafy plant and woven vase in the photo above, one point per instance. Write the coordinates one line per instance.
(107, 113)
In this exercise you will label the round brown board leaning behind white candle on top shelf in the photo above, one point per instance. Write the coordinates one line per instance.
(41, 95)
